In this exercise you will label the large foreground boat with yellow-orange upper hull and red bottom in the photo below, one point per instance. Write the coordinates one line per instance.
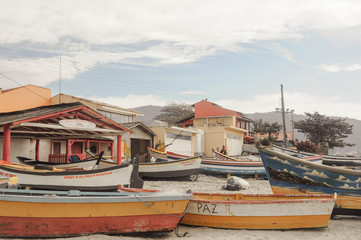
(36, 213)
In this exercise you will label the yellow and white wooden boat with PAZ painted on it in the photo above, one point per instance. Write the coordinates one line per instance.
(259, 211)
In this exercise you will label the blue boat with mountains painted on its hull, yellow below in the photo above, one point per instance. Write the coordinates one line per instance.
(292, 175)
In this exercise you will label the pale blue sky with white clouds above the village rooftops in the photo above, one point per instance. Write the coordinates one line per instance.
(235, 53)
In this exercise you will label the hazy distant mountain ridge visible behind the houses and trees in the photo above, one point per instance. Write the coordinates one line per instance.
(150, 111)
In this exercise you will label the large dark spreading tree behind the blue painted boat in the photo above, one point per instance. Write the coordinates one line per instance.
(320, 129)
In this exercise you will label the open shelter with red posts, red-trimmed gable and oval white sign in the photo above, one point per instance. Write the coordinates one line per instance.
(70, 123)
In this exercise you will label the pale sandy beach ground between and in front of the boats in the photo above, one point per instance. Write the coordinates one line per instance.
(342, 227)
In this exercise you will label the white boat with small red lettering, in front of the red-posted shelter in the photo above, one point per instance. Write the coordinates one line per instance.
(95, 179)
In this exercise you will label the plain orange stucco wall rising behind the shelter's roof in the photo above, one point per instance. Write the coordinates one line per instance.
(25, 97)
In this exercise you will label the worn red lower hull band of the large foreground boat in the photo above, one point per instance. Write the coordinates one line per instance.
(64, 227)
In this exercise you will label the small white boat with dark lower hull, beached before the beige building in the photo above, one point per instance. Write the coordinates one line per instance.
(167, 170)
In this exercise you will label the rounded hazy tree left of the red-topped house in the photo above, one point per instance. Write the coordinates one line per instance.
(173, 111)
